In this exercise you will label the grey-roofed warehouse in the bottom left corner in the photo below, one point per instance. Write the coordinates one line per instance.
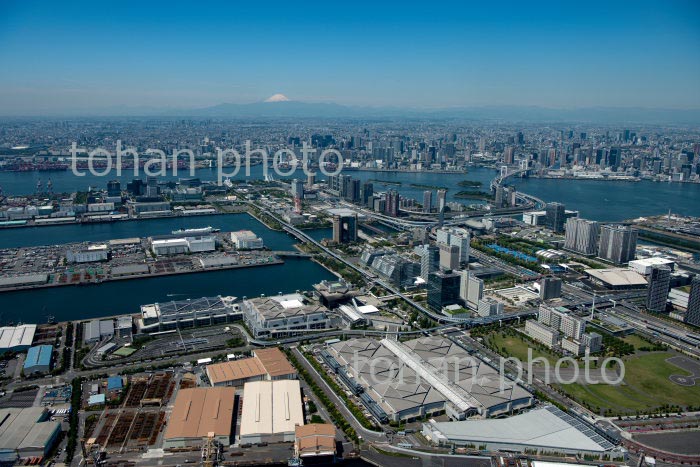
(27, 432)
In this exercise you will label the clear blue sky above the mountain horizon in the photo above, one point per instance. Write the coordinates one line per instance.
(83, 55)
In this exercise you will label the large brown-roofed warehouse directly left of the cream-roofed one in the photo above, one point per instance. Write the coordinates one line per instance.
(199, 412)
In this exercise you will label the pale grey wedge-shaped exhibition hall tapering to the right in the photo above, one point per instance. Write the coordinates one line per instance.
(544, 430)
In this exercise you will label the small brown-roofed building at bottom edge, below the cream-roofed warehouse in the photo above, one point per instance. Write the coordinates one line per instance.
(315, 444)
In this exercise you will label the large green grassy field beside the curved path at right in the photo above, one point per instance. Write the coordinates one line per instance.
(646, 387)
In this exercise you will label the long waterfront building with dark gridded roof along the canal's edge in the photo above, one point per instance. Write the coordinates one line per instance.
(183, 314)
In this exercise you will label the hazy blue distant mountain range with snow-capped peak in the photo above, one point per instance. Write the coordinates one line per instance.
(280, 108)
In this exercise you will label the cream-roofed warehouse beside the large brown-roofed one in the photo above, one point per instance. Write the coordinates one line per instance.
(271, 411)
